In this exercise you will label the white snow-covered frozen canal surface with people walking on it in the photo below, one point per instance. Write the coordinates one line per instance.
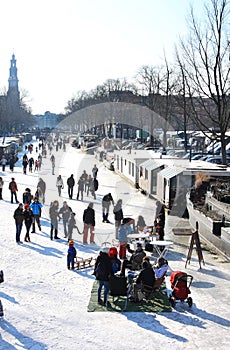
(45, 305)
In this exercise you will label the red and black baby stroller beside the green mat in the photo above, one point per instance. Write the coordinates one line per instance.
(180, 284)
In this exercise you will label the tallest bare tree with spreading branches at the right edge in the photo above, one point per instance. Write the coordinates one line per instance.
(205, 58)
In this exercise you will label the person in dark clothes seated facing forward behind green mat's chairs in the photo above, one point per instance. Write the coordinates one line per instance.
(134, 263)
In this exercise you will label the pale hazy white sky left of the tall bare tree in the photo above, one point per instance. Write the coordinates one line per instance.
(63, 46)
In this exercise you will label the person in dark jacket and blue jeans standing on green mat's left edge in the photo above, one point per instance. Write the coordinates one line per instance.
(103, 270)
